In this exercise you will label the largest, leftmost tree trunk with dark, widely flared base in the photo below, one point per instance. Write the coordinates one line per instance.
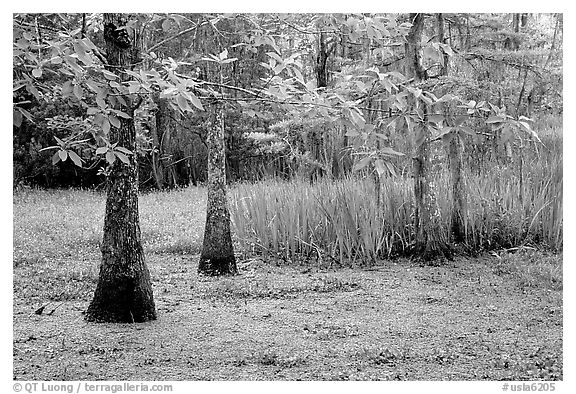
(124, 290)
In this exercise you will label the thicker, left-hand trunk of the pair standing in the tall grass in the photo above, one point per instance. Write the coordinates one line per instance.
(431, 242)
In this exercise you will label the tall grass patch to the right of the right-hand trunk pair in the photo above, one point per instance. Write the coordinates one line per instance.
(506, 210)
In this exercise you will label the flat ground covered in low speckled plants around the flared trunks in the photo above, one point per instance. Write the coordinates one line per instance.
(494, 317)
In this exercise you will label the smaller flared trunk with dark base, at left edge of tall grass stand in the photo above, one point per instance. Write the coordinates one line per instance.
(217, 257)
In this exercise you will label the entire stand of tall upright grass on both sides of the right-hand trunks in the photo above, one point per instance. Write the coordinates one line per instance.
(508, 205)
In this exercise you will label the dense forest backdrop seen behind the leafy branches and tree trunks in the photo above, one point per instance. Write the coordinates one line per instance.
(511, 60)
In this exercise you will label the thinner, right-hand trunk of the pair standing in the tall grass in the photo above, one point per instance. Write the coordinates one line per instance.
(454, 153)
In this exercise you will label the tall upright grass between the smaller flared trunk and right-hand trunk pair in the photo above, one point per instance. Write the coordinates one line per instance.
(334, 219)
